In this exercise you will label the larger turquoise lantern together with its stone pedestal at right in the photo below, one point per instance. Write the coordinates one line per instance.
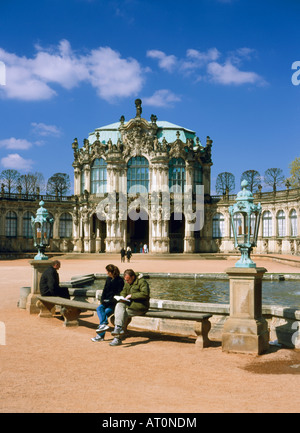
(245, 330)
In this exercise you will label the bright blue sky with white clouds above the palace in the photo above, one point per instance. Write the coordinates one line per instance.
(222, 68)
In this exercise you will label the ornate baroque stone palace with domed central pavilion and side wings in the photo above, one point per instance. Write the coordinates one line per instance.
(146, 182)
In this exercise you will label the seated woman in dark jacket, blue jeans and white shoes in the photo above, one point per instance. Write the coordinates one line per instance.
(113, 286)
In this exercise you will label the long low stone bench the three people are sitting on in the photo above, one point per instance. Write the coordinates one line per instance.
(71, 310)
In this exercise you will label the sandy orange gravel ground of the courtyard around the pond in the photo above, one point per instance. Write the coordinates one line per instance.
(46, 367)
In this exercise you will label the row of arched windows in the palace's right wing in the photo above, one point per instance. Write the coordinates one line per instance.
(218, 226)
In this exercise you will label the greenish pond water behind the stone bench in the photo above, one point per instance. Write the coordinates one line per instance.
(285, 293)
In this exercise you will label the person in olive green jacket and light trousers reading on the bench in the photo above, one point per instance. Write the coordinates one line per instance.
(135, 299)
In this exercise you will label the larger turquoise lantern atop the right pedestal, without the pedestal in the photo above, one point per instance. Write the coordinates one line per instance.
(245, 233)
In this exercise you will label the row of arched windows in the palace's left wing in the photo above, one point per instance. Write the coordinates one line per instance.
(11, 225)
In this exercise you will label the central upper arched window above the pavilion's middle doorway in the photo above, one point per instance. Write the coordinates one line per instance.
(138, 175)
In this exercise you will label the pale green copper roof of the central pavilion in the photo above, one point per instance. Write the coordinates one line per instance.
(165, 130)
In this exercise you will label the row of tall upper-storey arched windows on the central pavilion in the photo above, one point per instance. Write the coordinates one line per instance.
(138, 175)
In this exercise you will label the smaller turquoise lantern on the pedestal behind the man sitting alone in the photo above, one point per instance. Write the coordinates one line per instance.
(42, 226)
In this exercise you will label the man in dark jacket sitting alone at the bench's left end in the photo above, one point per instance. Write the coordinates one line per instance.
(49, 283)
